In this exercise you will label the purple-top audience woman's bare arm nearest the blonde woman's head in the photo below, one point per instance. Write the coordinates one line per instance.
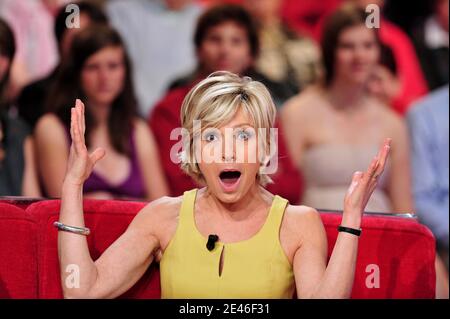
(149, 162)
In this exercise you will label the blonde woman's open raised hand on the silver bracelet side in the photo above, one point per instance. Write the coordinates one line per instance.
(81, 163)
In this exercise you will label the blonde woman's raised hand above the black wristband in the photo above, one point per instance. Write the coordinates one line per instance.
(362, 186)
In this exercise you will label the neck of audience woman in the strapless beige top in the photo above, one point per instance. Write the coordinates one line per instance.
(346, 96)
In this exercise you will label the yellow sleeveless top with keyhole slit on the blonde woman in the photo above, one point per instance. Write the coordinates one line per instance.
(252, 268)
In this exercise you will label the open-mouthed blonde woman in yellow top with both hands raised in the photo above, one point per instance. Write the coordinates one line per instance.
(231, 238)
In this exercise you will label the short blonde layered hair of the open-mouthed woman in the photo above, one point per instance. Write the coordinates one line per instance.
(215, 101)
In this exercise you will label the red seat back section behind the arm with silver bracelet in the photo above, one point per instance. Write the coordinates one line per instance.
(107, 221)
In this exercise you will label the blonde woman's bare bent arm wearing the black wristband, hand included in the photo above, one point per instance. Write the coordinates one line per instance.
(313, 278)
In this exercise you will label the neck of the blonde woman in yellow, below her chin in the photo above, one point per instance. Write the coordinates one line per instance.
(240, 210)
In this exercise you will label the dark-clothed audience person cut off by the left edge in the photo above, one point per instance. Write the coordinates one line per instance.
(18, 176)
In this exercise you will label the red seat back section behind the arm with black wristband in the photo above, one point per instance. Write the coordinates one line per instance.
(396, 257)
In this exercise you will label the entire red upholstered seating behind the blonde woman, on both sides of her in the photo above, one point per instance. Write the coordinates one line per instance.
(402, 250)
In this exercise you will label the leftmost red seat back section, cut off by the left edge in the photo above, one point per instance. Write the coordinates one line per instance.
(18, 251)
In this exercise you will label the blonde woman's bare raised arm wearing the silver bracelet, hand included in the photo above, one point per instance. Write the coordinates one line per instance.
(124, 262)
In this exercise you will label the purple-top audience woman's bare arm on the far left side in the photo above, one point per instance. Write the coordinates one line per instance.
(51, 152)
